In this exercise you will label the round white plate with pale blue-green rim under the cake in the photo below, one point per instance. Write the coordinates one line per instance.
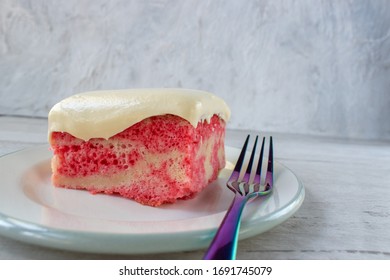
(33, 211)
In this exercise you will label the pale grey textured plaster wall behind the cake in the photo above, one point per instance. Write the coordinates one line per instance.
(318, 67)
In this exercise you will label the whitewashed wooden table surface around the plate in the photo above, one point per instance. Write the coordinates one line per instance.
(345, 214)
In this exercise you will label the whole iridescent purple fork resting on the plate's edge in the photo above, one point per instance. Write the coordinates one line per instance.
(224, 244)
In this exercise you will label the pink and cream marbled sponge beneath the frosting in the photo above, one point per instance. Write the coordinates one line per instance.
(157, 160)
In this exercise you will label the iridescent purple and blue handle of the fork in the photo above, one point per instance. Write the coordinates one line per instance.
(224, 244)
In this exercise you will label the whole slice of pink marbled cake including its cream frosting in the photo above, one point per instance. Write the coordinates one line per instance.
(150, 145)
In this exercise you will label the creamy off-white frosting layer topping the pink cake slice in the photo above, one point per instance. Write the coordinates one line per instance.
(102, 114)
